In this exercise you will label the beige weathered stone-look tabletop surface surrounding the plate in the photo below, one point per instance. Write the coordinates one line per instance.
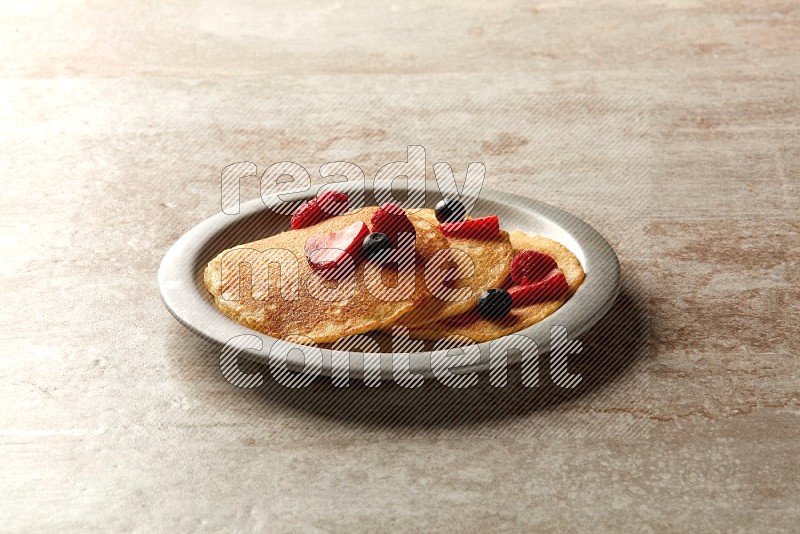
(670, 126)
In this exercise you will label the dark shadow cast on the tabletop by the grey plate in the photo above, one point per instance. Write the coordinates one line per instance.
(611, 349)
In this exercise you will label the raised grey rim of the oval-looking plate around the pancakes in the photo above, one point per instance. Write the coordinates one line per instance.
(177, 281)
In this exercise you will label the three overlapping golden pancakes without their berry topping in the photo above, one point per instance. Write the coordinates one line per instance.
(273, 286)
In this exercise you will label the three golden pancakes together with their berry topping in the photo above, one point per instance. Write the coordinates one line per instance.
(340, 272)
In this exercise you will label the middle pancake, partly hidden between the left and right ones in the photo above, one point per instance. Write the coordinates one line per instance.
(491, 259)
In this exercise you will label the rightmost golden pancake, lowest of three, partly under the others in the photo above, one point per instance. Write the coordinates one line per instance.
(479, 329)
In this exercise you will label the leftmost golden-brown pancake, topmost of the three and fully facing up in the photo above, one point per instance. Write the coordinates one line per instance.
(279, 302)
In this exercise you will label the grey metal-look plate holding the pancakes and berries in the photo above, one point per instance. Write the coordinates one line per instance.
(180, 279)
